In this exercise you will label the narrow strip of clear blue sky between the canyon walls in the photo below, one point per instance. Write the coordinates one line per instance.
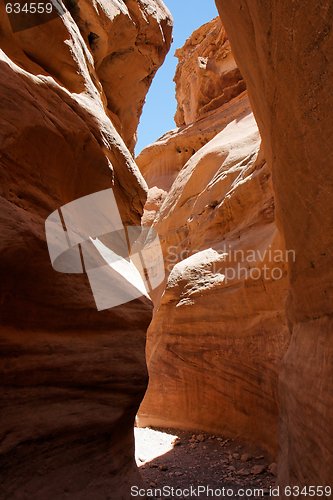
(160, 107)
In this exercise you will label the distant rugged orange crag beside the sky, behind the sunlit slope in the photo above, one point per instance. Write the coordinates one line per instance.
(207, 77)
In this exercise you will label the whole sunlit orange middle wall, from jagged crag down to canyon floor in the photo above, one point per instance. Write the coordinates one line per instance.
(219, 330)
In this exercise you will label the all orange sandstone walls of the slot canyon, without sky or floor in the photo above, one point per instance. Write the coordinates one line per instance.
(237, 341)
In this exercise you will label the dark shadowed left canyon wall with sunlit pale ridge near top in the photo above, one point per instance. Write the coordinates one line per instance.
(72, 378)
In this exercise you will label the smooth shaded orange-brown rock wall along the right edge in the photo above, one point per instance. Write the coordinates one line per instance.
(285, 52)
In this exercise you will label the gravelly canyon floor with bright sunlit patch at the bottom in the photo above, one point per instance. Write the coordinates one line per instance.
(181, 460)
